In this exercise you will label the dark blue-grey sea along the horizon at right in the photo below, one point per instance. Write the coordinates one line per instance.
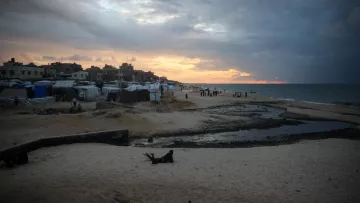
(345, 94)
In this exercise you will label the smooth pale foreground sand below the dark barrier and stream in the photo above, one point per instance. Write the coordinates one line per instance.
(311, 171)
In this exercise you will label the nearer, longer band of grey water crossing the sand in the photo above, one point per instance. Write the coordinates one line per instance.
(249, 135)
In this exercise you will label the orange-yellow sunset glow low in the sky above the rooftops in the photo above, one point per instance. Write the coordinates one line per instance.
(174, 67)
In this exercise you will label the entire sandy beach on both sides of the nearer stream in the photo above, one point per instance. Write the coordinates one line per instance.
(323, 170)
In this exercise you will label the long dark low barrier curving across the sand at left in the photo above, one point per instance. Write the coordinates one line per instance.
(114, 137)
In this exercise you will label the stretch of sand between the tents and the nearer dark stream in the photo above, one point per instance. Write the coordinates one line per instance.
(174, 116)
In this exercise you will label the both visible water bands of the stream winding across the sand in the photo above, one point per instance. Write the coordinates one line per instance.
(256, 111)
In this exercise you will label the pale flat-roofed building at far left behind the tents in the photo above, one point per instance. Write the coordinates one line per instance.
(13, 69)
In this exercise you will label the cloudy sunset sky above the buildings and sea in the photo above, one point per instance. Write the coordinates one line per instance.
(193, 41)
